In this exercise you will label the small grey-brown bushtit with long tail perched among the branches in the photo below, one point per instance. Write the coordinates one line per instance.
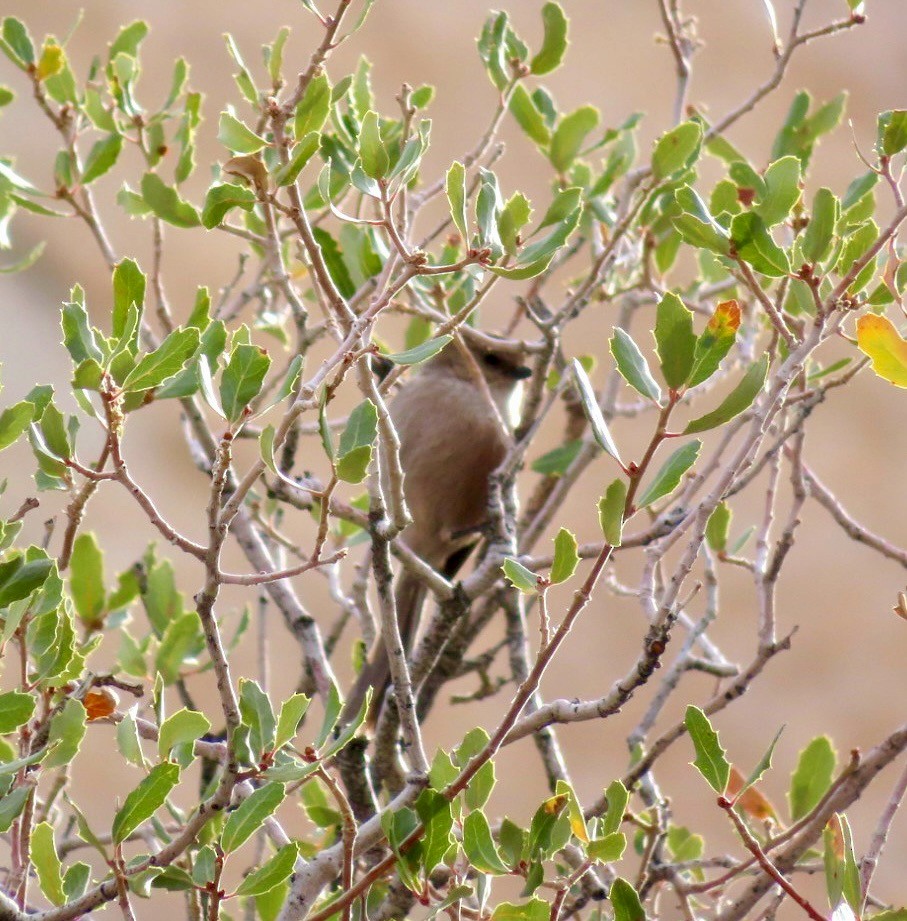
(453, 420)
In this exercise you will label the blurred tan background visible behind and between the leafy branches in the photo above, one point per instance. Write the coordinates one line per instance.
(845, 672)
